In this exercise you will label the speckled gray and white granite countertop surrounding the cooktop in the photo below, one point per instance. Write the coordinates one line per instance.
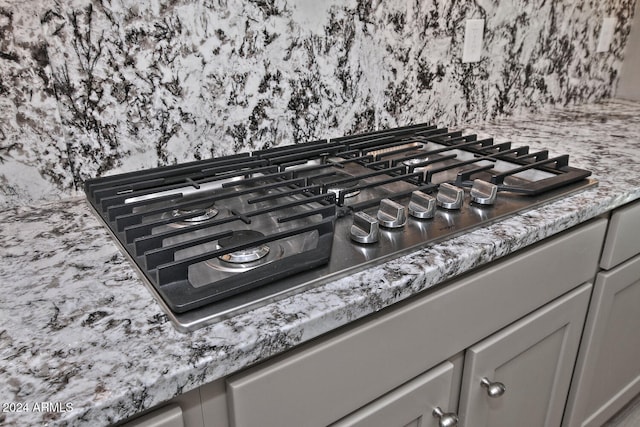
(80, 331)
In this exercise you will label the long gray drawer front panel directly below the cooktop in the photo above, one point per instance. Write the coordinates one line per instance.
(323, 381)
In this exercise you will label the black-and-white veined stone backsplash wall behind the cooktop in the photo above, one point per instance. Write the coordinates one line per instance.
(99, 87)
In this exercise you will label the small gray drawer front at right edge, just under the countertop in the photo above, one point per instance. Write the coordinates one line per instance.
(623, 236)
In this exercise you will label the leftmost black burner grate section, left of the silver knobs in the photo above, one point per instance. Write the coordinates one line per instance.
(141, 218)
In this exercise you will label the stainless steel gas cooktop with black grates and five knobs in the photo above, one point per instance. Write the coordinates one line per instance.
(217, 237)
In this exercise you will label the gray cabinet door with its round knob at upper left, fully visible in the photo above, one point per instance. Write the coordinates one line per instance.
(533, 360)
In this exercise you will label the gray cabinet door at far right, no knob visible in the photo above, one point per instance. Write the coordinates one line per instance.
(608, 367)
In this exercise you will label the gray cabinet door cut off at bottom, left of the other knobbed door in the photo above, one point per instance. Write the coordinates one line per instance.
(411, 404)
